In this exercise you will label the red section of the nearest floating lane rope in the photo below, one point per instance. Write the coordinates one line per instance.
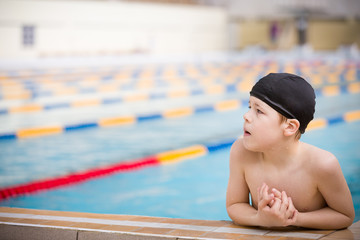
(46, 184)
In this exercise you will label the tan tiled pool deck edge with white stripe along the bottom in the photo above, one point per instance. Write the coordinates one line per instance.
(19, 223)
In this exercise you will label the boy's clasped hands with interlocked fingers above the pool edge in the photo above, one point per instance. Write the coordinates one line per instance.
(275, 209)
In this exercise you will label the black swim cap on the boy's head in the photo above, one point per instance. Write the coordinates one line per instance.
(290, 95)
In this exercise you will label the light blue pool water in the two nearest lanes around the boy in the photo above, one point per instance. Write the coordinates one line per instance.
(189, 189)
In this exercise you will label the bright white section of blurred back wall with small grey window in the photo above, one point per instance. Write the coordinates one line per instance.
(37, 28)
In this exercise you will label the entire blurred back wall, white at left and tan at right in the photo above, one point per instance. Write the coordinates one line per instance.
(48, 28)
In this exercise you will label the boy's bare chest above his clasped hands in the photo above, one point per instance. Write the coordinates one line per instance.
(298, 185)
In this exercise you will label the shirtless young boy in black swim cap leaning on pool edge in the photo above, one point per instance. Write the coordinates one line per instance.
(291, 183)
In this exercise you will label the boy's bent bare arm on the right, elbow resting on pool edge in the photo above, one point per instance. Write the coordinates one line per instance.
(339, 212)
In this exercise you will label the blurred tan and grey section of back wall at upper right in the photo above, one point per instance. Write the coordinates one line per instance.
(326, 24)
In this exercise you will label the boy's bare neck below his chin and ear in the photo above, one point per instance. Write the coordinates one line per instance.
(281, 155)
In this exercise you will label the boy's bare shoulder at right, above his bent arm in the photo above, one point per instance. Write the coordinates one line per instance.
(320, 160)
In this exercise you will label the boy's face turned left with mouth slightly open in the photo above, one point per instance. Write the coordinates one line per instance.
(262, 126)
